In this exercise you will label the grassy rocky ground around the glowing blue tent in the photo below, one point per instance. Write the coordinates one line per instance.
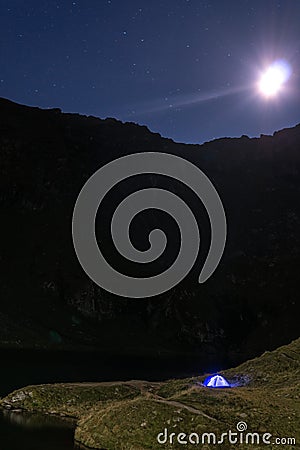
(265, 397)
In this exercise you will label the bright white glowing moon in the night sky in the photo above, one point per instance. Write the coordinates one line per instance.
(273, 79)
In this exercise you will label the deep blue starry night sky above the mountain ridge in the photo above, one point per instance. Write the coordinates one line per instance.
(188, 69)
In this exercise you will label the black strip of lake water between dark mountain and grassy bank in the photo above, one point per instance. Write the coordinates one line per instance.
(21, 368)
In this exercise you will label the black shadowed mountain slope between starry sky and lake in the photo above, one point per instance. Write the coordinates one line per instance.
(249, 305)
